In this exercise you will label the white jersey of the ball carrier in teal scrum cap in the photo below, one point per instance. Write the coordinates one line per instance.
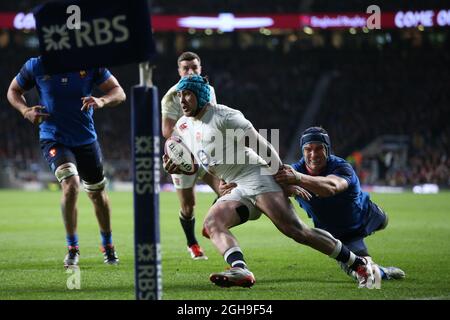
(216, 141)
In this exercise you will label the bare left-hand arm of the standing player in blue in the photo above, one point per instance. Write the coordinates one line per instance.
(17, 100)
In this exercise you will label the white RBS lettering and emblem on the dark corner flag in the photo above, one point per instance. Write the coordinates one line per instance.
(98, 32)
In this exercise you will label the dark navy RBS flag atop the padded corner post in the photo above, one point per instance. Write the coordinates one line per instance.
(97, 34)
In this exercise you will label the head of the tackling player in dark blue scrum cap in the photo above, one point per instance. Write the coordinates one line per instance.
(316, 147)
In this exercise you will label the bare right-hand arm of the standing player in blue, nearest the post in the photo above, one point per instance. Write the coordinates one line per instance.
(113, 96)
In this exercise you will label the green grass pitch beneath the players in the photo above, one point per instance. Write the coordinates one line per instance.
(32, 247)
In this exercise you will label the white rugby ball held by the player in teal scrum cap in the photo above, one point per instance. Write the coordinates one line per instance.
(180, 154)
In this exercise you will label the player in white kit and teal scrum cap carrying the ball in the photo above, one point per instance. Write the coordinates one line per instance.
(211, 132)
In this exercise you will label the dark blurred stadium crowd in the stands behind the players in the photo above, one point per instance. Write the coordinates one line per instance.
(382, 83)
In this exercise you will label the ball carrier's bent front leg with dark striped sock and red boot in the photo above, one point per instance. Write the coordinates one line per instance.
(221, 217)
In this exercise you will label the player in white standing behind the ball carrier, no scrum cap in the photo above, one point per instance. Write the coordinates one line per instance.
(188, 64)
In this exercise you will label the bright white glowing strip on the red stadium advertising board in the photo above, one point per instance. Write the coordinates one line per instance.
(225, 22)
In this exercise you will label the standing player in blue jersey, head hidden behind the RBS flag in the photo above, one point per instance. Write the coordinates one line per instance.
(69, 141)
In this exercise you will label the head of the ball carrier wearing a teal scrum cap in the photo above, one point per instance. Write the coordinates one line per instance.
(194, 94)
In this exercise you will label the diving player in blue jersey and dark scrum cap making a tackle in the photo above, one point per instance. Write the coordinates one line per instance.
(337, 203)
